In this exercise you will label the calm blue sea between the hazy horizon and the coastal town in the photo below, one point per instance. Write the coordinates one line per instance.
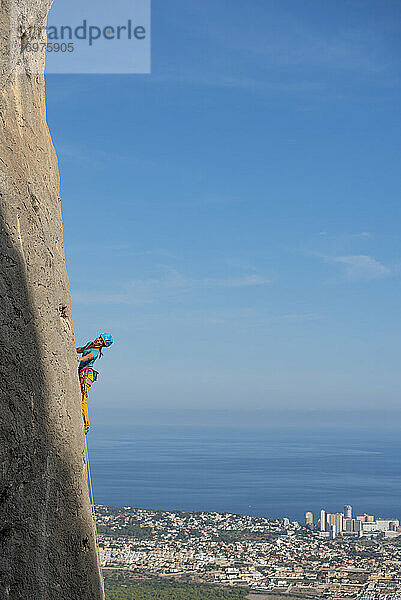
(275, 472)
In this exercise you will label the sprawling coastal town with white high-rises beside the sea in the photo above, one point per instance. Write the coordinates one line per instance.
(269, 557)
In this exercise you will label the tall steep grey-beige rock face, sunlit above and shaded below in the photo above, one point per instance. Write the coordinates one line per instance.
(47, 543)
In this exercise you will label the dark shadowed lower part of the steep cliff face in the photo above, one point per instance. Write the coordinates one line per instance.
(47, 548)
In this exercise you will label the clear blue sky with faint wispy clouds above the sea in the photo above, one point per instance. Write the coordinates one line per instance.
(233, 218)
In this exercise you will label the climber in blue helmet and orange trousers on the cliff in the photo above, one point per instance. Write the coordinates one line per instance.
(87, 374)
